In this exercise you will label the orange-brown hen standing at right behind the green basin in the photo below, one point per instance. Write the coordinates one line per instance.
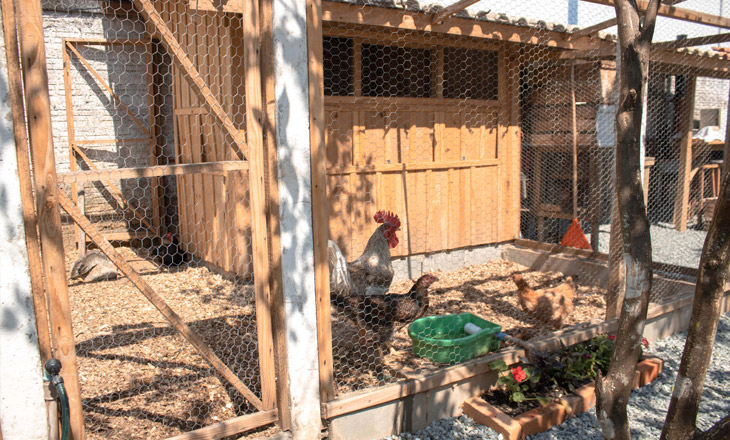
(551, 306)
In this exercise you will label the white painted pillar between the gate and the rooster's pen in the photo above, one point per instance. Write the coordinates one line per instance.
(295, 210)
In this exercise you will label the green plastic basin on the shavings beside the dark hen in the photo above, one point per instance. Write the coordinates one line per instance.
(443, 338)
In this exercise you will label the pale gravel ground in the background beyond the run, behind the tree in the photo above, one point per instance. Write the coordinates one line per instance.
(668, 245)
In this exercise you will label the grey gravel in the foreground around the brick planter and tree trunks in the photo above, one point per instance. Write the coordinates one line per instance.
(647, 406)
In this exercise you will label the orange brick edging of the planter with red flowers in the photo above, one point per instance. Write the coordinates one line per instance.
(545, 417)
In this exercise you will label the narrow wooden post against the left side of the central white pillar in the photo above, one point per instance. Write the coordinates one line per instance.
(272, 220)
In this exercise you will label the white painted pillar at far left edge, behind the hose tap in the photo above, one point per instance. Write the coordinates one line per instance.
(22, 408)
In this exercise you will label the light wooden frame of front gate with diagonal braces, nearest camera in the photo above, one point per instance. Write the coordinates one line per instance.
(48, 198)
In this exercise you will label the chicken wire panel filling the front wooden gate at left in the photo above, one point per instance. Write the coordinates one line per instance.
(150, 126)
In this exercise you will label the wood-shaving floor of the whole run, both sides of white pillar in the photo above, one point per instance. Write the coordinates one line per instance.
(141, 380)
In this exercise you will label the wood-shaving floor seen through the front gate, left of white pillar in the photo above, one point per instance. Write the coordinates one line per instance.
(139, 378)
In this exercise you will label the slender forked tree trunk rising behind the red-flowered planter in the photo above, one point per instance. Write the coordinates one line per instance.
(612, 392)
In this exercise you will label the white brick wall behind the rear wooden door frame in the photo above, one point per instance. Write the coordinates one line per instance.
(97, 116)
